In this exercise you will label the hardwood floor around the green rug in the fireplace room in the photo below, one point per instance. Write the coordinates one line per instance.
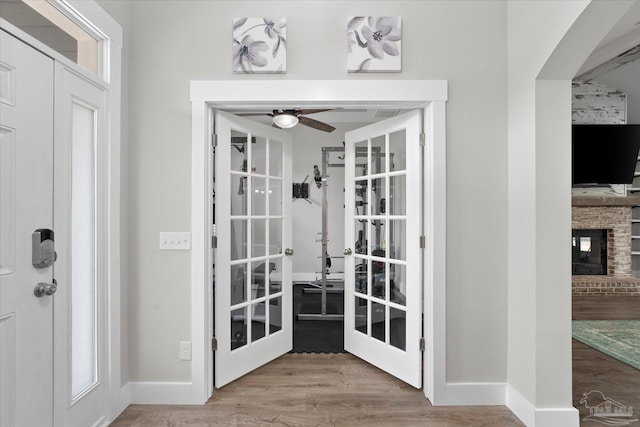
(593, 370)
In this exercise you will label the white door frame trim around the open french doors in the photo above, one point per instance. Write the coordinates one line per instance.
(428, 95)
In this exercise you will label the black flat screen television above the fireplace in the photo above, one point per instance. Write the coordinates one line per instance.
(604, 154)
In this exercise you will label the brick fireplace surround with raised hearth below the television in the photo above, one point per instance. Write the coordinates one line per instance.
(611, 213)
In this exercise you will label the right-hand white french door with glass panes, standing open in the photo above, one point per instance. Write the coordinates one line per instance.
(383, 229)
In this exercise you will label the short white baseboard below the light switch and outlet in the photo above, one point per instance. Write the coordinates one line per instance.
(161, 393)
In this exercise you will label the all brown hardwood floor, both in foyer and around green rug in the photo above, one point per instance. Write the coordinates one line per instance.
(340, 389)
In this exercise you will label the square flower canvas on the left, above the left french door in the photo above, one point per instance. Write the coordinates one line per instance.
(259, 45)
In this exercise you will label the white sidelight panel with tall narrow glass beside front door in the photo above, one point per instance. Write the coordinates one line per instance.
(81, 393)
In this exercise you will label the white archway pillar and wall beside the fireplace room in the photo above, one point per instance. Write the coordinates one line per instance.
(542, 62)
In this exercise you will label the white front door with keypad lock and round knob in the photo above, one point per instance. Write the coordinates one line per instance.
(26, 204)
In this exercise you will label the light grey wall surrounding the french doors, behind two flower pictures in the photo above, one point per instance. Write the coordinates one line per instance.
(173, 42)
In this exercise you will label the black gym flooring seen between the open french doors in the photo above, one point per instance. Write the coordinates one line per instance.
(317, 336)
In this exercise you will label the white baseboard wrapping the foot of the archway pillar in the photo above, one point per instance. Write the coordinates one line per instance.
(540, 417)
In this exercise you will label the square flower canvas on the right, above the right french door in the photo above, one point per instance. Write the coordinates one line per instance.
(374, 44)
